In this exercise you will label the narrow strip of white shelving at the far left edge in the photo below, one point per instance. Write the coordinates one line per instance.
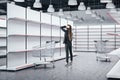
(3, 36)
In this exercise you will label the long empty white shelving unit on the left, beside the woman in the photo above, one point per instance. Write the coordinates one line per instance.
(28, 29)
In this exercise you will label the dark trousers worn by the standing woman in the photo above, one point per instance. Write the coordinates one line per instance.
(68, 48)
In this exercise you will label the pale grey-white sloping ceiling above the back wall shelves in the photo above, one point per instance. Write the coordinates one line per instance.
(88, 20)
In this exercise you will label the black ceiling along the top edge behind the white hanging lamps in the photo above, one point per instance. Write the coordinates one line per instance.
(94, 4)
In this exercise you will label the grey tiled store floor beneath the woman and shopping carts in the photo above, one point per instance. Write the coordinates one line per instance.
(84, 67)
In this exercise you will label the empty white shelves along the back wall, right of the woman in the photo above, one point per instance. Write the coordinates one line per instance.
(85, 36)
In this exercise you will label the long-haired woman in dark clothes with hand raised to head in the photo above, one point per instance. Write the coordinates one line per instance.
(68, 42)
